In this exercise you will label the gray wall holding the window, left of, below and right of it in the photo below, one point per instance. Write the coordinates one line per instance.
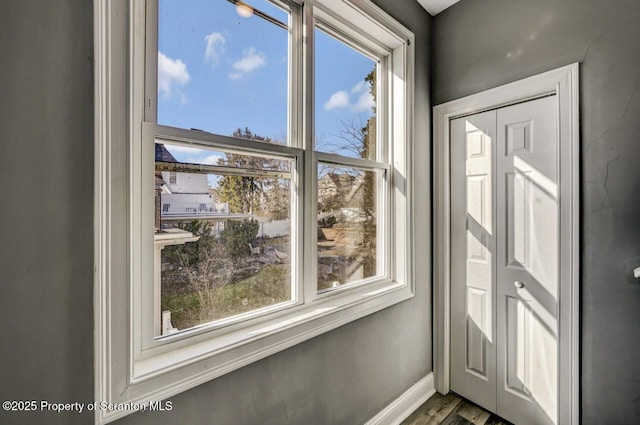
(46, 229)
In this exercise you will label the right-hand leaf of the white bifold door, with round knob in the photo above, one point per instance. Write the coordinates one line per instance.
(527, 265)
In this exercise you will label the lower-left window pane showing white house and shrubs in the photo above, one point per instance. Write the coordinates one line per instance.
(222, 232)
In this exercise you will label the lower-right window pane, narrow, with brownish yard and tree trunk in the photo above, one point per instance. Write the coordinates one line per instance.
(347, 225)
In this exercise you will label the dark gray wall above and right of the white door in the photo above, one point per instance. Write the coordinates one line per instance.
(482, 44)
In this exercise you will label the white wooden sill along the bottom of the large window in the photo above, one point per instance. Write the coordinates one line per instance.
(166, 374)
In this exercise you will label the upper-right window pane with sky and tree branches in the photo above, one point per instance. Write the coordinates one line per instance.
(345, 93)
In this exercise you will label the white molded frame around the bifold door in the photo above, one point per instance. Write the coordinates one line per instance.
(564, 83)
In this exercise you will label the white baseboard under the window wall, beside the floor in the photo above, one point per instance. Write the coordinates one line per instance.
(400, 408)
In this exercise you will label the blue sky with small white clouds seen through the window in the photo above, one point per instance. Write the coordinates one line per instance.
(218, 71)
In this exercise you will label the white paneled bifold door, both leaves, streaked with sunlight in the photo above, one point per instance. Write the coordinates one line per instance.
(505, 248)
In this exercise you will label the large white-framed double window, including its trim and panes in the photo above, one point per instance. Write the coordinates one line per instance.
(259, 193)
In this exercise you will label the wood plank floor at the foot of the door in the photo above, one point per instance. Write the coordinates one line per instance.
(451, 409)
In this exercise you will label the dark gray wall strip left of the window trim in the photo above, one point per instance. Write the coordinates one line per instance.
(46, 211)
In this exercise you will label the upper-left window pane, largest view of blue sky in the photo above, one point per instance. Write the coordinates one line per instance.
(223, 68)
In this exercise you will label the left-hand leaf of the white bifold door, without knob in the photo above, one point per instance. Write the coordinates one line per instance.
(473, 352)
